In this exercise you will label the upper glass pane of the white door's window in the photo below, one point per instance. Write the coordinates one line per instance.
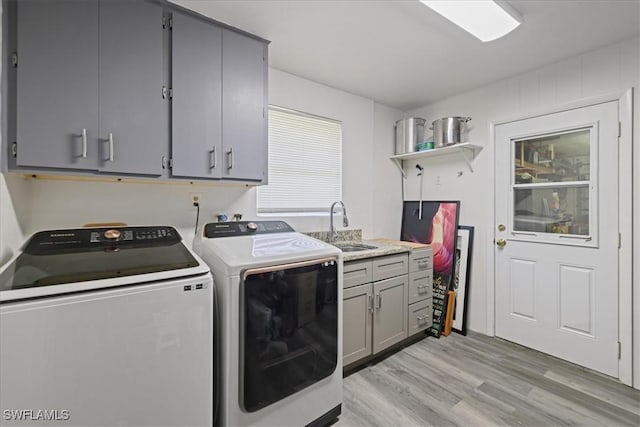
(557, 158)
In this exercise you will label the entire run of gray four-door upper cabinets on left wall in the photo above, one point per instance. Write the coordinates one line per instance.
(105, 86)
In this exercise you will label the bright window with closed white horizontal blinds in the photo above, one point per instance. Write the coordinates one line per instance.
(305, 163)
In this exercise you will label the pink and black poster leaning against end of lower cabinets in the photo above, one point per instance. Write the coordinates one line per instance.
(444, 215)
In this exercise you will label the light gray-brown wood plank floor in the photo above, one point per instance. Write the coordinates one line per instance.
(481, 381)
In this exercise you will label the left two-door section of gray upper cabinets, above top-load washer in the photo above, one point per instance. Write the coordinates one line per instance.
(89, 80)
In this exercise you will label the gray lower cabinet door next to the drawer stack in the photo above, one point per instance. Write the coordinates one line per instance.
(390, 312)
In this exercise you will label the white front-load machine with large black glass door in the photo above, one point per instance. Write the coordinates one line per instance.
(280, 322)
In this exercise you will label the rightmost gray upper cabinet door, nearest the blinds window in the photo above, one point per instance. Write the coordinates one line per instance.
(244, 103)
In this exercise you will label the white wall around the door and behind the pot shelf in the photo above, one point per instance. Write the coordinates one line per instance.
(607, 70)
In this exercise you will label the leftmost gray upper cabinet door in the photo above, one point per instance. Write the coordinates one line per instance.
(57, 86)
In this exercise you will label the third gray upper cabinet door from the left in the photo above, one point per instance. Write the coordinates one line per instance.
(197, 98)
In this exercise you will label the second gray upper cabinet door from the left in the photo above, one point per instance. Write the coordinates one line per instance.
(132, 136)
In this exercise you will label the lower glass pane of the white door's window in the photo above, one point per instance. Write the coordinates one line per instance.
(560, 210)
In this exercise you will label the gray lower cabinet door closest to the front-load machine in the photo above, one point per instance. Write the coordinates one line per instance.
(357, 322)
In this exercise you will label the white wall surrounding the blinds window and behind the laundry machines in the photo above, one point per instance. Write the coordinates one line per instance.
(29, 205)
